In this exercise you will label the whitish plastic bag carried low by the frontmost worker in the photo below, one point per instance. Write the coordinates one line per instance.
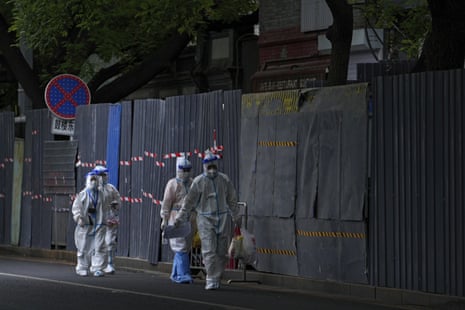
(243, 247)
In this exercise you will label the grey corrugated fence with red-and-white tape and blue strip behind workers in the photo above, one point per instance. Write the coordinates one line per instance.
(151, 132)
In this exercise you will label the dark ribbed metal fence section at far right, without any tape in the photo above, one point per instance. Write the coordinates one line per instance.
(417, 216)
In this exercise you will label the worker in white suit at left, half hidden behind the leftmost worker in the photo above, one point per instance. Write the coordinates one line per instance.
(112, 200)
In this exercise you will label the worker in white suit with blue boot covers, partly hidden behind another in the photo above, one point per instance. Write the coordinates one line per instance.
(175, 191)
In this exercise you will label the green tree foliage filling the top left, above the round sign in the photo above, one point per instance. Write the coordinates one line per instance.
(121, 34)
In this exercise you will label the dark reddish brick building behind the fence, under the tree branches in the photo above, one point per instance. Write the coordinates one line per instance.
(286, 50)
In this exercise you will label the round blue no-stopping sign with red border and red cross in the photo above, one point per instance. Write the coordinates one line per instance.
(64, 93)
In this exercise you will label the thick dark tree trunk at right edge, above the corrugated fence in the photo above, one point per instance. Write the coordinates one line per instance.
(444, 46)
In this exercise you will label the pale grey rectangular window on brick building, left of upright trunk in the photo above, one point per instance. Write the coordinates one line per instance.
(315, 15)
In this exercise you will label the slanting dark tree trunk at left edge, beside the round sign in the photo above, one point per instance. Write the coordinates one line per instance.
(19, 66)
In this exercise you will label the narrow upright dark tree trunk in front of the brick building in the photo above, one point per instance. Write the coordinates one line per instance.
(340, 36)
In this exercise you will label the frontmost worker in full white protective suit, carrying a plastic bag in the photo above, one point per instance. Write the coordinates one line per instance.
(213, 197)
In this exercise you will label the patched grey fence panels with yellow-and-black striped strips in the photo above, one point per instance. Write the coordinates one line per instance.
(303, 175)
